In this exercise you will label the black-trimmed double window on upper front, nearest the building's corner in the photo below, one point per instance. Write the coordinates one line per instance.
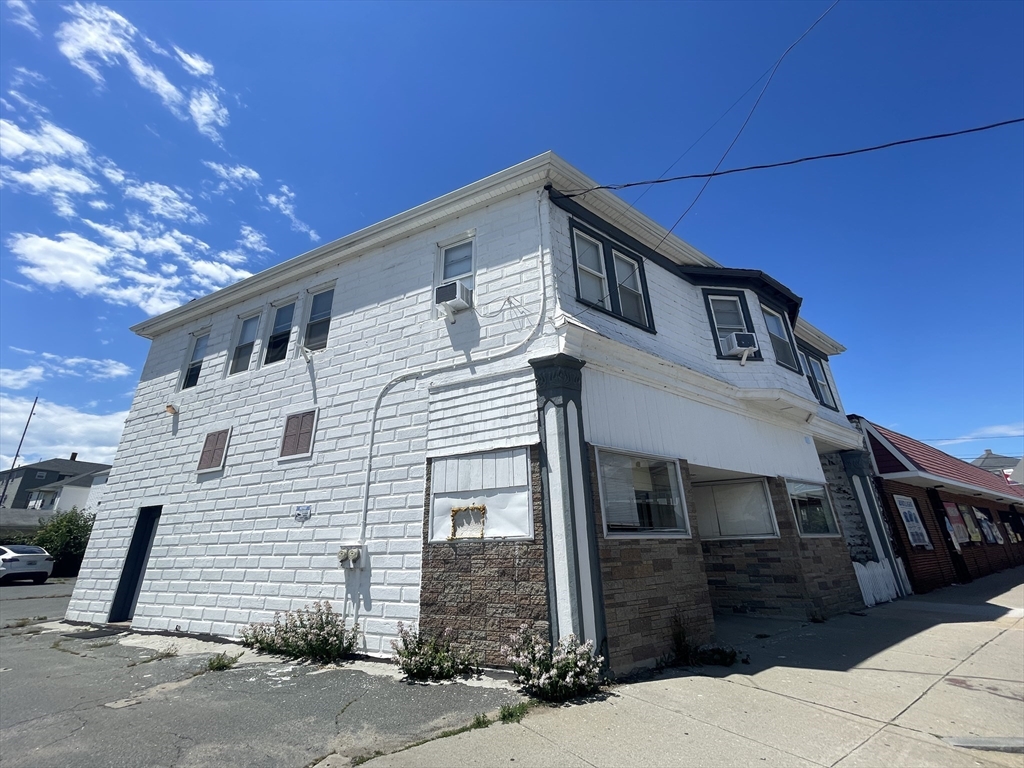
(610, 278)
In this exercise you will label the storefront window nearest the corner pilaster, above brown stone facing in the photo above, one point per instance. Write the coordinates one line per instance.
(642, 496)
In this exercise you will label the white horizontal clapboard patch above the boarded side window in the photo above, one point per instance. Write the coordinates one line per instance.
(497, 412)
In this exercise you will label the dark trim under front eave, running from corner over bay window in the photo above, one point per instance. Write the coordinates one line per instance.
(771, 290)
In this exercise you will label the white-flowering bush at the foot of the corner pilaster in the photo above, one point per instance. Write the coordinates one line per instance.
(570, 670)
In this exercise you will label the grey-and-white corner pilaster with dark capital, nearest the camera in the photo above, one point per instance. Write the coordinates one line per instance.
(574, 570)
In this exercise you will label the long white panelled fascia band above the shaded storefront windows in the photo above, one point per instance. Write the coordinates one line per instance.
(624, 414)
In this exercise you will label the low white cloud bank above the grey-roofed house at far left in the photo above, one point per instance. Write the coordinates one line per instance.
(58, 432)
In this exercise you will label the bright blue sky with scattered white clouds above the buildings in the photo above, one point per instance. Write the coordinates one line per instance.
(154, 152)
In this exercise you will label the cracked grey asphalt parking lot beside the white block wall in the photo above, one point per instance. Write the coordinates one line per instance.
(70, 699)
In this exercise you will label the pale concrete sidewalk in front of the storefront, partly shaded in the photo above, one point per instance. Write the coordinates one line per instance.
(879, 690)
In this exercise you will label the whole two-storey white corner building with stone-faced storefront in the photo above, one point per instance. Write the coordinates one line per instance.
(599, 430)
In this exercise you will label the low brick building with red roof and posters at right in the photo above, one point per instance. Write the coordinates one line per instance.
(951, 522)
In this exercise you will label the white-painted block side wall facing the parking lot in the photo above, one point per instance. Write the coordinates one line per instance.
(228, 550)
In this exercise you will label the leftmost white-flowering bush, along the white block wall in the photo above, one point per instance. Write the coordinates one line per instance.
(314, 633)
